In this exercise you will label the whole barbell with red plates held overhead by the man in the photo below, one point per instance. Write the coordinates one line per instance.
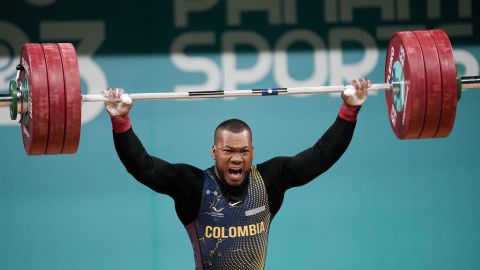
(421, 83)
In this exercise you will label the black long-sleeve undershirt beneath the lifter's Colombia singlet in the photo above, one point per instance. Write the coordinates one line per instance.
(184, 182)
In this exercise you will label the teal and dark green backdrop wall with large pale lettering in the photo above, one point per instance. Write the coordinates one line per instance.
(387, 204)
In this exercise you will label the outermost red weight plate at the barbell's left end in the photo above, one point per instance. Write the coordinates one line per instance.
(33, 79)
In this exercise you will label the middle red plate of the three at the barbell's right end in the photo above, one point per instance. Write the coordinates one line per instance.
(433, 84)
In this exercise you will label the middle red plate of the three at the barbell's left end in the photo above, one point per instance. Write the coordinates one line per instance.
(56, 93)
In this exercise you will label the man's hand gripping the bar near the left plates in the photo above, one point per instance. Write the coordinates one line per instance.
(117, 104)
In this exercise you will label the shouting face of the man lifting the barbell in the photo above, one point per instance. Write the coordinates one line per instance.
(233, 154)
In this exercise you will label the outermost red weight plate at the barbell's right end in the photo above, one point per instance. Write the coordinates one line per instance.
(449, 83)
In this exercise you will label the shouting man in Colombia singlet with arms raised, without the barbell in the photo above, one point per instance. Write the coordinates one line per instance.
(227, 209)
